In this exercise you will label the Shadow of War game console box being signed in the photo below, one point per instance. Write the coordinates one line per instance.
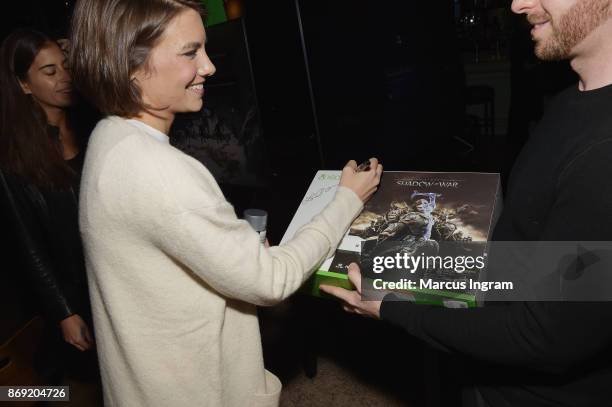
(422, 235)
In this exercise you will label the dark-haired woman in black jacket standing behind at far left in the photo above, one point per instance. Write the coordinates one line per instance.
(41, 159)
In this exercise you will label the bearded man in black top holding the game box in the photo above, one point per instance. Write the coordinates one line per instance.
(540, 353)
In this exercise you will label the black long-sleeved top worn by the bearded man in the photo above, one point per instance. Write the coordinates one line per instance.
(541, 354)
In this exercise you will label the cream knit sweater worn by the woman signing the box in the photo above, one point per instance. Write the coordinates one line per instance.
(174, 276)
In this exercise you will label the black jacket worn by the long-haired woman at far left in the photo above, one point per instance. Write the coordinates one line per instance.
(43, 223)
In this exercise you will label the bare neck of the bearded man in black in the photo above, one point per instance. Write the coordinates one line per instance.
(593, 60)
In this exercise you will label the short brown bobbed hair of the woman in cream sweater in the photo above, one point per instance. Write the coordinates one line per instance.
(110, 41)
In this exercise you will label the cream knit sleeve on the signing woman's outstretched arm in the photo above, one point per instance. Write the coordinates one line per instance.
(226, 252)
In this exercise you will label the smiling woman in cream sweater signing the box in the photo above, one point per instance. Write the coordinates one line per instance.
(174, 275)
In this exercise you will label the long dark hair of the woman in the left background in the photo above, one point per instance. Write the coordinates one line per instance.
(26, 149)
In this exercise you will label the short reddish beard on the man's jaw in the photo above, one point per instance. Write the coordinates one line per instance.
(571, 29)
